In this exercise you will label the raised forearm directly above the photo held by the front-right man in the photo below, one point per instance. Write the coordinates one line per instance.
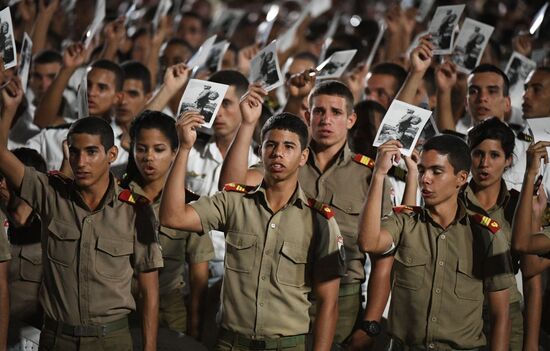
(421, 59)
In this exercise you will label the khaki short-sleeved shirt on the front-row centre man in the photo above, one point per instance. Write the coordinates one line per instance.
(271, 259)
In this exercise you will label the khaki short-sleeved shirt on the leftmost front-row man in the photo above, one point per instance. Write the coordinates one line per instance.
(89, 257)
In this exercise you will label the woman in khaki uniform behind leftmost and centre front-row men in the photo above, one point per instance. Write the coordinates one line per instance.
(154, 143)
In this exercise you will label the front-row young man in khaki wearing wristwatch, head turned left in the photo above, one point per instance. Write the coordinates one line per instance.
(446, 259)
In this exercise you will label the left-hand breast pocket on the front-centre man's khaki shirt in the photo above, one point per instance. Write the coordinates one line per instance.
(240, 251)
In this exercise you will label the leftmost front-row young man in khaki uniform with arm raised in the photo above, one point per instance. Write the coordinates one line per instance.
(94, 236)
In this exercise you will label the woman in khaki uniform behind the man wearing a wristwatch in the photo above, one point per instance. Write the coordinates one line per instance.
(492, 145)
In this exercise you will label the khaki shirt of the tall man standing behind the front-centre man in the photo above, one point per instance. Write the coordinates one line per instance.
(344, 187)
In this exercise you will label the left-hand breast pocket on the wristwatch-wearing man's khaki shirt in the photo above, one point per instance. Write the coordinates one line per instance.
(410, 267)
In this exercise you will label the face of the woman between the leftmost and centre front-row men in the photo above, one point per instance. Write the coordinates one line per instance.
(153, 154)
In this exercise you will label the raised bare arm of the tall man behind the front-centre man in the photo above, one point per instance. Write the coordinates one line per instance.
(235, 164)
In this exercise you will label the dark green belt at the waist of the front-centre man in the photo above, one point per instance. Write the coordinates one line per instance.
(264, 344)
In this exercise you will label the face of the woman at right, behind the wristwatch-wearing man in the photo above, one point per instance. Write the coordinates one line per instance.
(489, 162)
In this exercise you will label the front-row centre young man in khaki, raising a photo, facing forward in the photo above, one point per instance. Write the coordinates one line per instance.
(278, 248)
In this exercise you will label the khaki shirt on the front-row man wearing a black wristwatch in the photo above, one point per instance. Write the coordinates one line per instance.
(439, 277)
